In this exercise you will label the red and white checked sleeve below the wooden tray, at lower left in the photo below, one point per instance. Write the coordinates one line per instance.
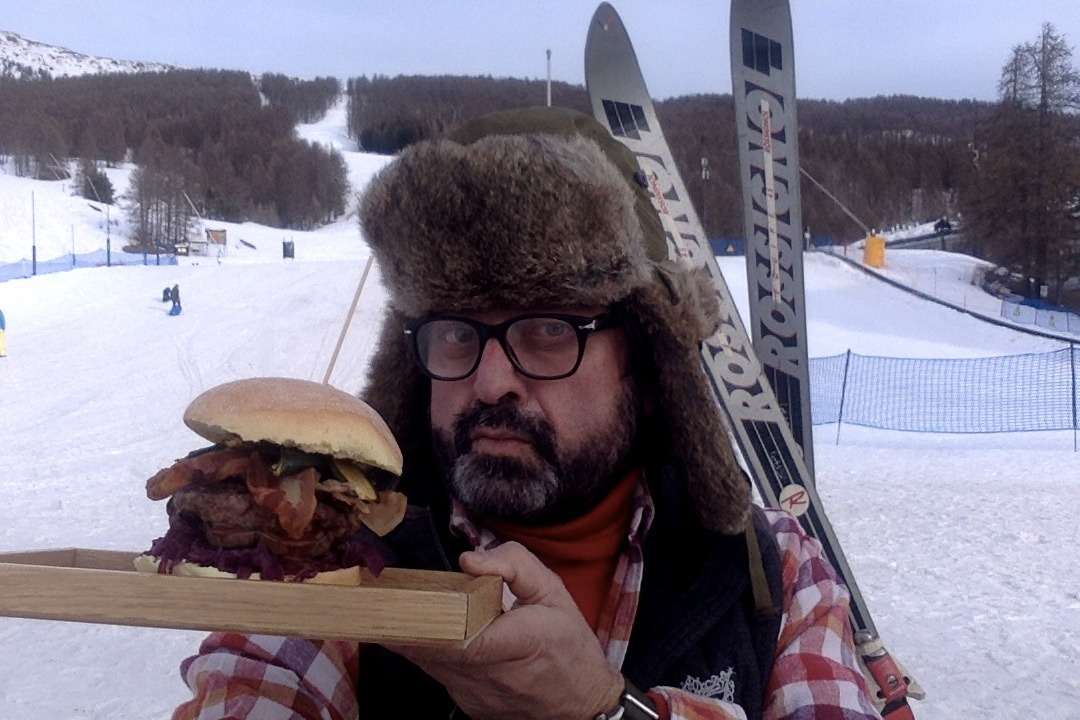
(261, 677)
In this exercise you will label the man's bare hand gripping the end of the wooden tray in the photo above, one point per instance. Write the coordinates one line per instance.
(541, 660)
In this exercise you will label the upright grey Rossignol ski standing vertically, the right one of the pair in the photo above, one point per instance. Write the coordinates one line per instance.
(763, 77)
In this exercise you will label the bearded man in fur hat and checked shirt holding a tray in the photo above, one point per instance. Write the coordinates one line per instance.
(539, 365)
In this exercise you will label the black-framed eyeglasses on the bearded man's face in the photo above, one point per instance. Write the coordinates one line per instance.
(541, 346)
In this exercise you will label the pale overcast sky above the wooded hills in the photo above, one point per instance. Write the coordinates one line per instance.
(950, 49)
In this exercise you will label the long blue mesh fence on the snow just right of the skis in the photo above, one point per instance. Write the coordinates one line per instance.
(1007, 395)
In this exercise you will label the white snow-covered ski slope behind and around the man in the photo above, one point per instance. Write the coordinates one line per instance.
(964, 546)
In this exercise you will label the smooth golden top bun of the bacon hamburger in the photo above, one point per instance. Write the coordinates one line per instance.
(299, 414)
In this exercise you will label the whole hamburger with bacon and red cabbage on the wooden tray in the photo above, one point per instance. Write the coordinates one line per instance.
(295, 486)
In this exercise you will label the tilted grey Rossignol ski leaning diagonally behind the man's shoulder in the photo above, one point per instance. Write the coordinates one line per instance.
(622, 102)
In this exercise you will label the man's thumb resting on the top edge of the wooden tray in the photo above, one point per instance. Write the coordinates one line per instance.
(524, 574)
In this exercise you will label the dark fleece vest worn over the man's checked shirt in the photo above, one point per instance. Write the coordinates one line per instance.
(697, 628)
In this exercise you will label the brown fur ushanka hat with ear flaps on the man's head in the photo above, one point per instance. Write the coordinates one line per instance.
(543, 208)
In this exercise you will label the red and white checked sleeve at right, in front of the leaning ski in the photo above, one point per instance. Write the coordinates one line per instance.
(816, 674)
